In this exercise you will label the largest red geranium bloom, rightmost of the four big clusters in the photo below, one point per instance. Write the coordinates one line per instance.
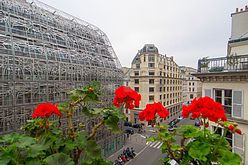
(205, 107)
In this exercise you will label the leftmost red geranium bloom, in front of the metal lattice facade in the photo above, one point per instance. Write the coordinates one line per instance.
(46, 109)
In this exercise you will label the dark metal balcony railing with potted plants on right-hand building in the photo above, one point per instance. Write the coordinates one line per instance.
(223, 64)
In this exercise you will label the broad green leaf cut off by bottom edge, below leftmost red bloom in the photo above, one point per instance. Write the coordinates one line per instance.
(59, 159)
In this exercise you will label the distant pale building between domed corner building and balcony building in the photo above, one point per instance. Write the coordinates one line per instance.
(192, 86)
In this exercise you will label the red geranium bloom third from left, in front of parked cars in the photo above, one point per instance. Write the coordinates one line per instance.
(150, 111)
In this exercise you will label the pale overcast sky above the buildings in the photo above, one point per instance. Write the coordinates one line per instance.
(185, 29)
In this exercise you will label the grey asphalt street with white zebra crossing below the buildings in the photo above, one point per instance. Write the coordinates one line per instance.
(147, 153)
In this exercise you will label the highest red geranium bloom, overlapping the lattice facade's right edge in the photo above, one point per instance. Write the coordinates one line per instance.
(126, 95)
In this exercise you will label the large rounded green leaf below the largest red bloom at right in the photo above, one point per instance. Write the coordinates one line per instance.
(199, 150)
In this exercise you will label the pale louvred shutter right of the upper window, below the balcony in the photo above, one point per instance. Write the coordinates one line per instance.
(237, 104)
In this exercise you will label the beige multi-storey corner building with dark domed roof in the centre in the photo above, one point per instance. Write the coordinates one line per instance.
(158, 79)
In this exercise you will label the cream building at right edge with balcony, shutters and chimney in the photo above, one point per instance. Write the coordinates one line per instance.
(225, 79)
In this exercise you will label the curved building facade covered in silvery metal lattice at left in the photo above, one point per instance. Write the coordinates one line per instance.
(45, 52)
